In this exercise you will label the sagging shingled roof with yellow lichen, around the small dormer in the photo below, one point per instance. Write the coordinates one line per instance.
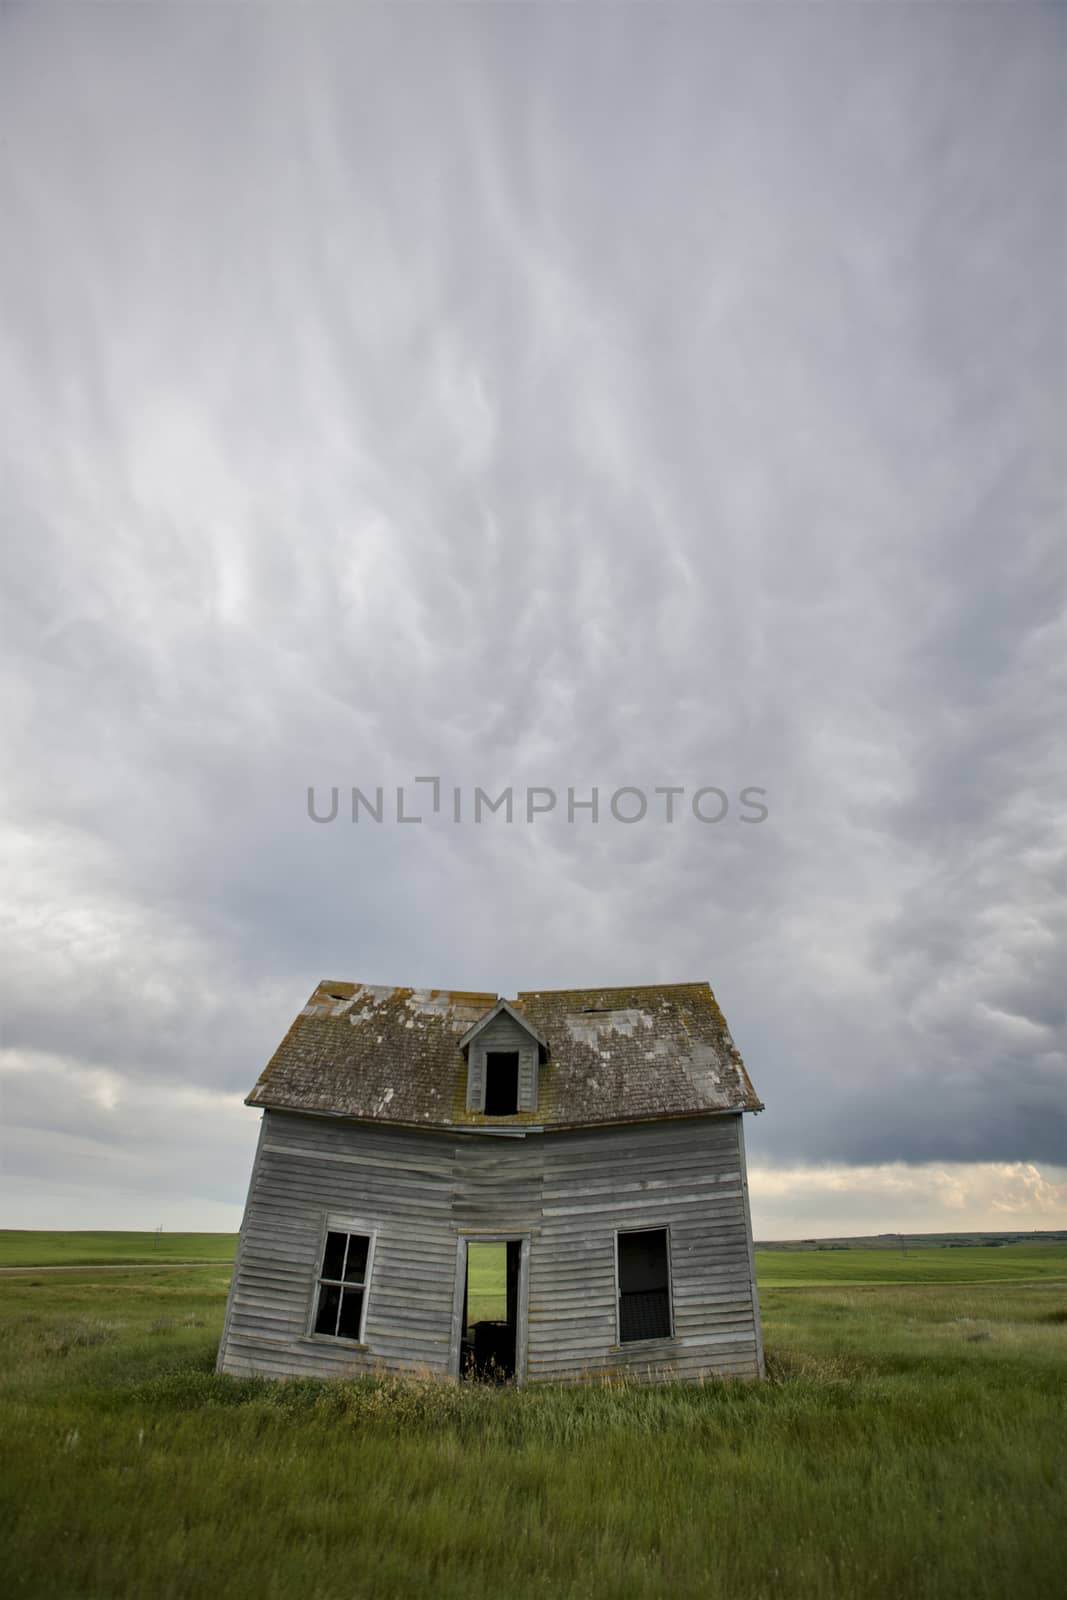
(613, 1055)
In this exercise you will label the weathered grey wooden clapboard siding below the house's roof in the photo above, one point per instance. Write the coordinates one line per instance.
(567, 1193)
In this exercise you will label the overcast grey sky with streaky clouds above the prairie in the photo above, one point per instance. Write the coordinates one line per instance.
(537, 396)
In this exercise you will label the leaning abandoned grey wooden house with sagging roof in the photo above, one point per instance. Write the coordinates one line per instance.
(596, 1135)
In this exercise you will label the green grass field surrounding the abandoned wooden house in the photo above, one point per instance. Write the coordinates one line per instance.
(913, 1442)
